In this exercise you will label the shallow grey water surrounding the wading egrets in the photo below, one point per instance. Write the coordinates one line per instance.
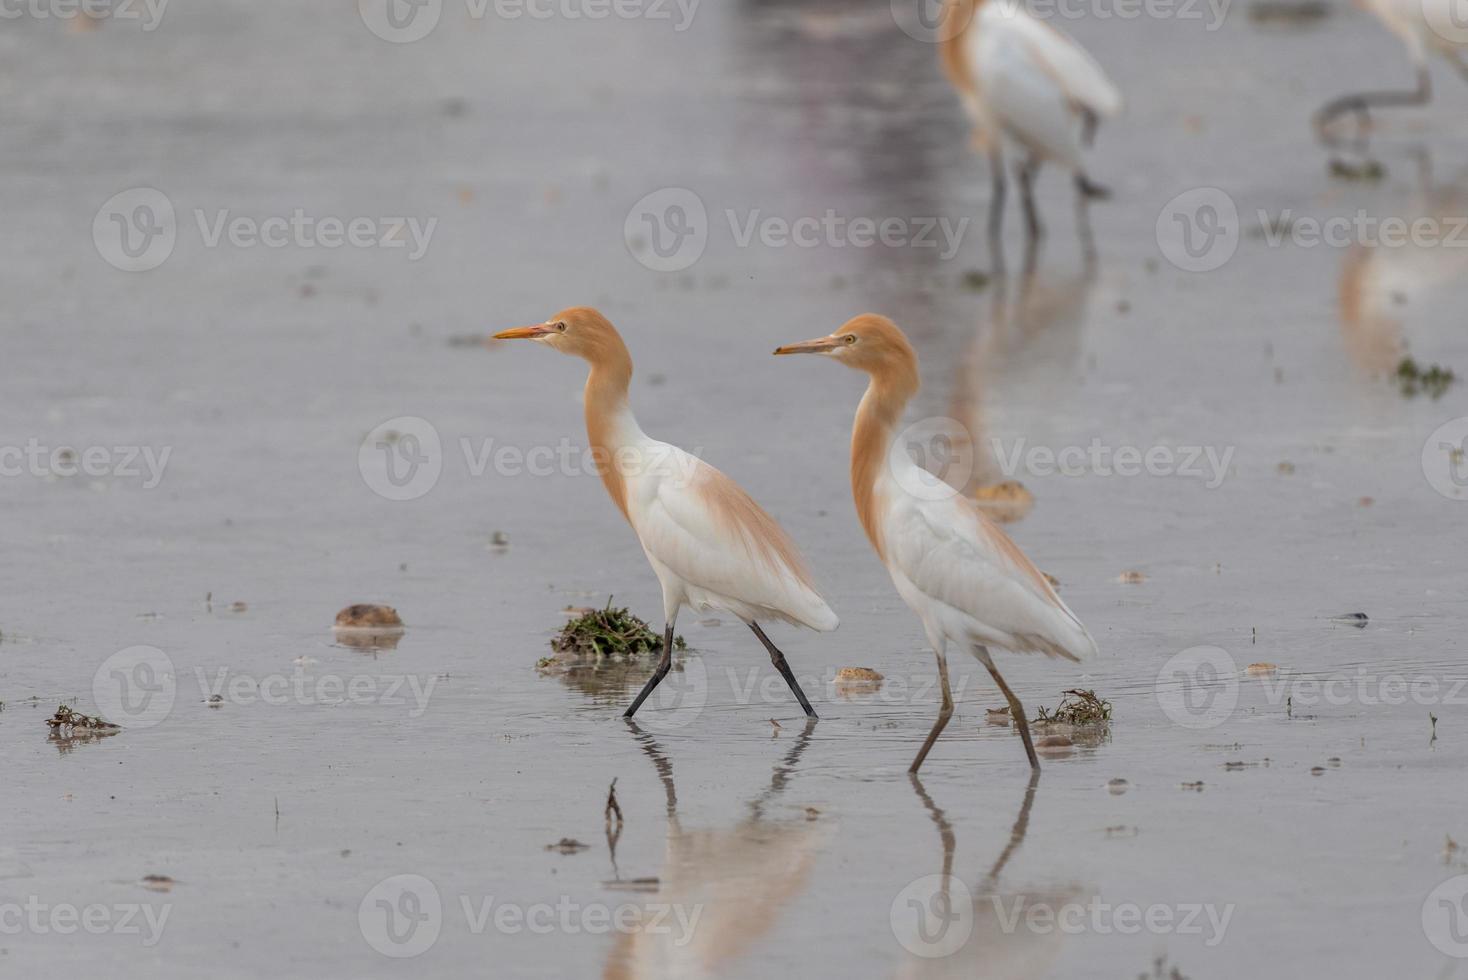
(450, 758)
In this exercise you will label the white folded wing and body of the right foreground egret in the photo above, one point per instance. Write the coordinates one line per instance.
(975, 583)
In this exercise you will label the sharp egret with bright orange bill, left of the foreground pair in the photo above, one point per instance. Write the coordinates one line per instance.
(710, 544)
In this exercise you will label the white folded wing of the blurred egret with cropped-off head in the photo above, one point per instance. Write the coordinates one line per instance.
(1036, 80)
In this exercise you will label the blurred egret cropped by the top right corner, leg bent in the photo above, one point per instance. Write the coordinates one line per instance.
(1426, 27)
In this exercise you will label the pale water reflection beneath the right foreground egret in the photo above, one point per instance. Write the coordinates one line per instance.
(999, 944)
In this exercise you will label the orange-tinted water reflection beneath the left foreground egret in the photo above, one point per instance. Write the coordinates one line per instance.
(738, 880)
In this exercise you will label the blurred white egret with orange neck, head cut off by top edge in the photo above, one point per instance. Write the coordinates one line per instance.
(1030, 90)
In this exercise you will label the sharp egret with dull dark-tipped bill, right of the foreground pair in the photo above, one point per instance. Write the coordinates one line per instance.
(964, 577)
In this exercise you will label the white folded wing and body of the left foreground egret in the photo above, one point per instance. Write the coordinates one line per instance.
(726, 552)
